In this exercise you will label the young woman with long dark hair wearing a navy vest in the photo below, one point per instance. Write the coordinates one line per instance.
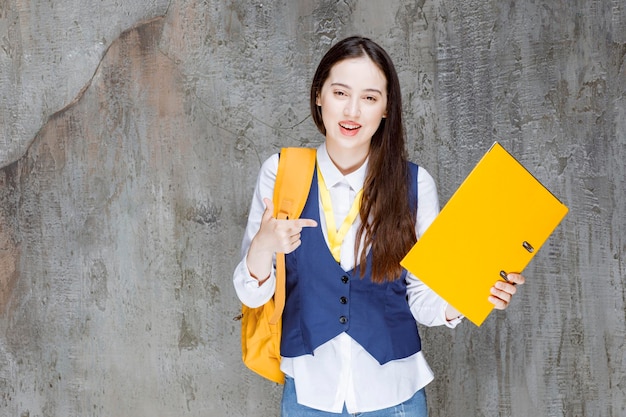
(350, 341)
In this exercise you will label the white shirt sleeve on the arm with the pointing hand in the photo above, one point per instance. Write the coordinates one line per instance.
(247, 287)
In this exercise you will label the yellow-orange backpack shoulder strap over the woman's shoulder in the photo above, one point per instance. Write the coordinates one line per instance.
(293, 181)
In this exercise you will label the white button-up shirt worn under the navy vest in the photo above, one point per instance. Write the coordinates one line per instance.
(341, 371)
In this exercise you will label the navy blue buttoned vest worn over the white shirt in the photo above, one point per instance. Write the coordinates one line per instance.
(323, 300)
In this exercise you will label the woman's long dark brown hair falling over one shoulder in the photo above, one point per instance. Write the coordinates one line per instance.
(387, 218)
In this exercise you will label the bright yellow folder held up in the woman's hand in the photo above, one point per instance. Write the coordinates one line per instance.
(493, 224)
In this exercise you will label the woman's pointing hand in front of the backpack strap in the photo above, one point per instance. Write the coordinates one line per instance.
(274, 236)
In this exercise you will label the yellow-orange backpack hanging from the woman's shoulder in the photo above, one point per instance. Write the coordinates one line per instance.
(261, 327)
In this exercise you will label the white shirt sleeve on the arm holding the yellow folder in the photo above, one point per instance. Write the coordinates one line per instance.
(427, 307)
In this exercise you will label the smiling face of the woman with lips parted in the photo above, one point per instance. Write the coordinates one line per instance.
(353, 102)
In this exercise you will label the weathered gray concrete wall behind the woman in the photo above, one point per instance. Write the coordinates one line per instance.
(130, 138)
